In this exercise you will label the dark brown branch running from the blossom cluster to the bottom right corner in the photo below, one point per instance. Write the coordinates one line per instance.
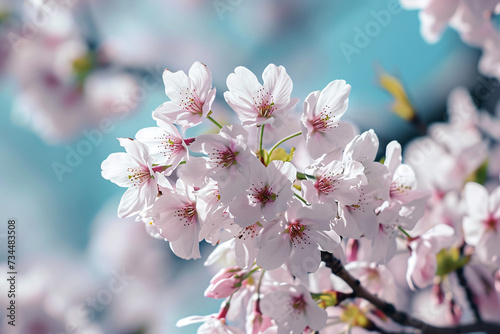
(397, 316)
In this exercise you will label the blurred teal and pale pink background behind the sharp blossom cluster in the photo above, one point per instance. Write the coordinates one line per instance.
(74, 75)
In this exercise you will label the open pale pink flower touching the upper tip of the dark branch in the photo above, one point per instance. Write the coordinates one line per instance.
(297, 239)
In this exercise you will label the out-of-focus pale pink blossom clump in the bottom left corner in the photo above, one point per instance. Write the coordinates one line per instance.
(53, 297)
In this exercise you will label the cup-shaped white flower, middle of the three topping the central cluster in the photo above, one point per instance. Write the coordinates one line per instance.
(257, 104)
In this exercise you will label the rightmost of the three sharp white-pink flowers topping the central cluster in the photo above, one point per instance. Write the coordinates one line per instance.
(321, 119)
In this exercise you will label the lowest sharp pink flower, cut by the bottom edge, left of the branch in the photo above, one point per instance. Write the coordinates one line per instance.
(293, 308)
